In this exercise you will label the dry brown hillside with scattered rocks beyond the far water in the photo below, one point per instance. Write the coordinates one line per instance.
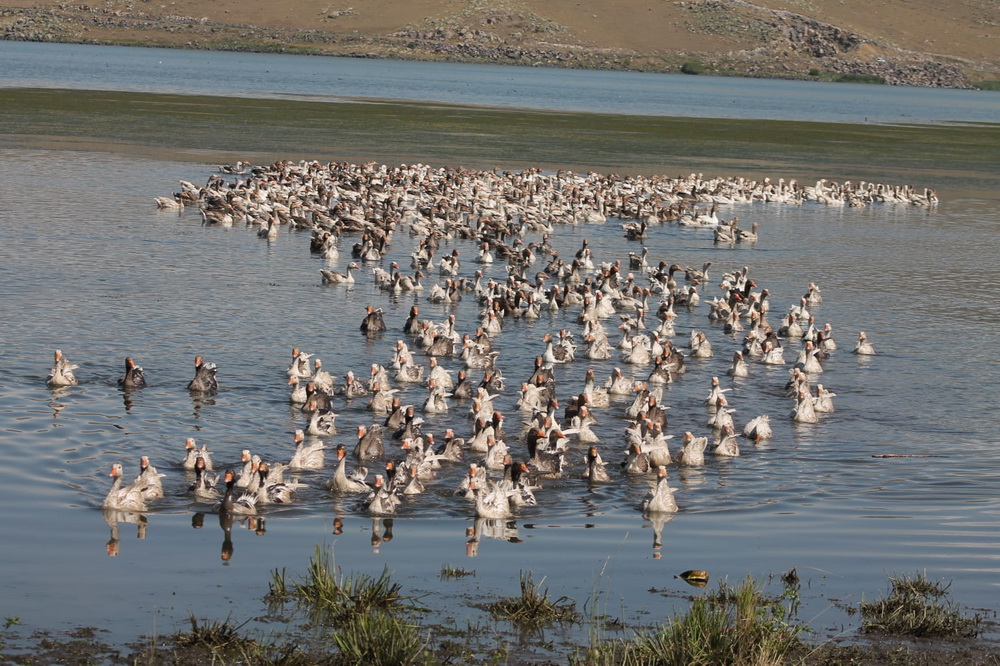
(904, 42)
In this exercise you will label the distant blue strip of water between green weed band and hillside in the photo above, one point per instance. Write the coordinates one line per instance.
(257, 75)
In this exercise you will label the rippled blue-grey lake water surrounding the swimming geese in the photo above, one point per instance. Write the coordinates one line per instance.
(90, 266)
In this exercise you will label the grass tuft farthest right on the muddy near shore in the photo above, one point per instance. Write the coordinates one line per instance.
(918, 607)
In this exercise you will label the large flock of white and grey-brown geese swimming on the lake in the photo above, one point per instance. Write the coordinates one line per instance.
(625, 309)
